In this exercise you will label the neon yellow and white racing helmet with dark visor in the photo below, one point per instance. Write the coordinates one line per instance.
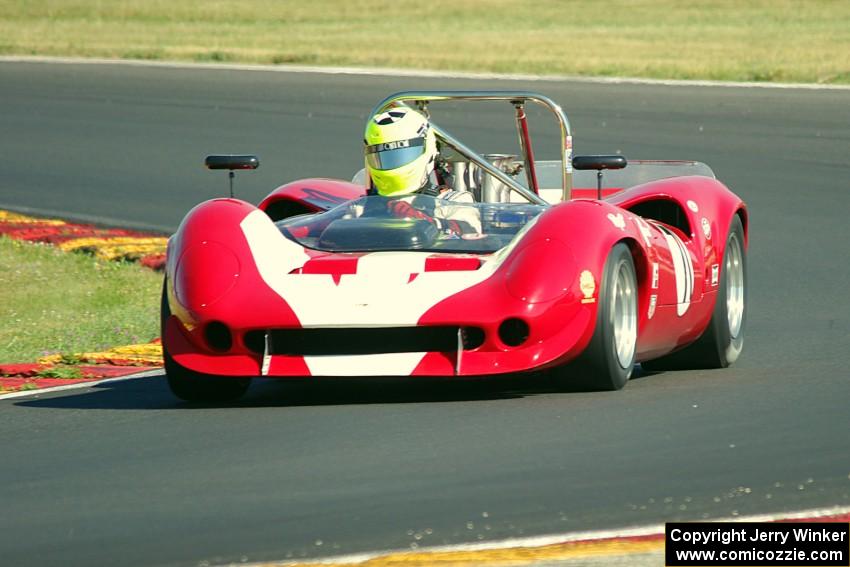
(400, 151)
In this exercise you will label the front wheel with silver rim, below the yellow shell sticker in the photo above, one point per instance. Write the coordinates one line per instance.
(602, 366)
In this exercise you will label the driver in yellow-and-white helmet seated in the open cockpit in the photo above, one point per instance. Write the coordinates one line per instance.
(401, 155)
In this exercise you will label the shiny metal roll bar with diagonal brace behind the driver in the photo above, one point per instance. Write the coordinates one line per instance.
(518, 100)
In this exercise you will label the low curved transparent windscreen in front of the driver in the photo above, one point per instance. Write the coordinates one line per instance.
(375, 223)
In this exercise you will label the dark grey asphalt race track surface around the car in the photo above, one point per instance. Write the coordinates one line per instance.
(123, 473)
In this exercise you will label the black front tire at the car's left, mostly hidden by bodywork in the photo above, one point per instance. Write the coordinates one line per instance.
(194, 386)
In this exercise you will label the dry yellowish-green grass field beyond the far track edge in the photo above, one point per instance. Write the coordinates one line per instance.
(748, 40)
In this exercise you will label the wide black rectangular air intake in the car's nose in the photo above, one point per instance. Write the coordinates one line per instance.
(361, 340)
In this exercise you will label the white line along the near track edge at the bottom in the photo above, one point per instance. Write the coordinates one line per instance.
(551, 539)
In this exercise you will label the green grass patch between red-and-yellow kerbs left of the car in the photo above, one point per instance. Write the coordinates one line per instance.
(53, 301)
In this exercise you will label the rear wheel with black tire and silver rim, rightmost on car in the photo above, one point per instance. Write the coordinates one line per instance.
(722, 341)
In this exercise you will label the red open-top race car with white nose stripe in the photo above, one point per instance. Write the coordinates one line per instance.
(556, 267)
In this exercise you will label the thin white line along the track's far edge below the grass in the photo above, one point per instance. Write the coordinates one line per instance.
(391, 72)
